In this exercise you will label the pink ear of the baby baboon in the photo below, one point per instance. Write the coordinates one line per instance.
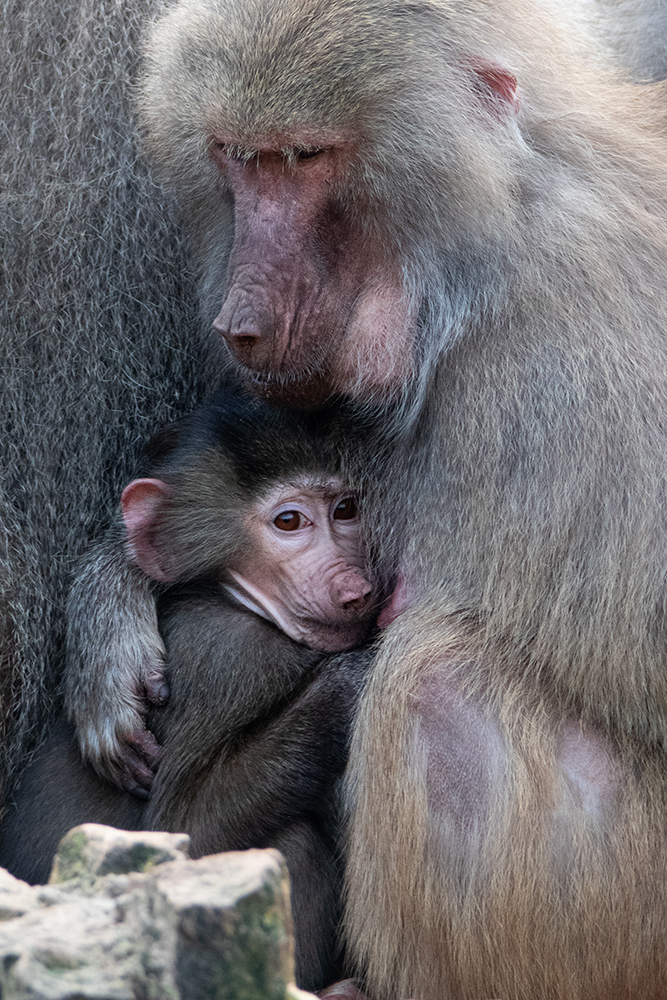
(139, 504)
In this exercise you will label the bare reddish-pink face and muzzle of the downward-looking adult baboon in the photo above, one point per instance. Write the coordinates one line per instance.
(313, 301)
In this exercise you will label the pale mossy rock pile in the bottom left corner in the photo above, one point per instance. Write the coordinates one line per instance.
(218, 928)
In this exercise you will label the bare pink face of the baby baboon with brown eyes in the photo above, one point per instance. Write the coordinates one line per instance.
(306, 568)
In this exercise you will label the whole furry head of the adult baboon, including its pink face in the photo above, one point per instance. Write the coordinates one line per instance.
(362, 192)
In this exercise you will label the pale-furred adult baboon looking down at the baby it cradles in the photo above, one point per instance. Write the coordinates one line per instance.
(447, 209)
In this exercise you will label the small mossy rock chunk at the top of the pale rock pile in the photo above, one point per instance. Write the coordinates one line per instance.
(91, 850)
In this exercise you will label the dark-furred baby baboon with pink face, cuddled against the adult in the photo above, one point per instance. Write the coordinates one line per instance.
(246, 509)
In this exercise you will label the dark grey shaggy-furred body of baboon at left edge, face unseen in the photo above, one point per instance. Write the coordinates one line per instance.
(100, 333)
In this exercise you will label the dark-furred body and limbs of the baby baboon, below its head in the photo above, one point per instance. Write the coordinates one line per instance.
(255, 741)
